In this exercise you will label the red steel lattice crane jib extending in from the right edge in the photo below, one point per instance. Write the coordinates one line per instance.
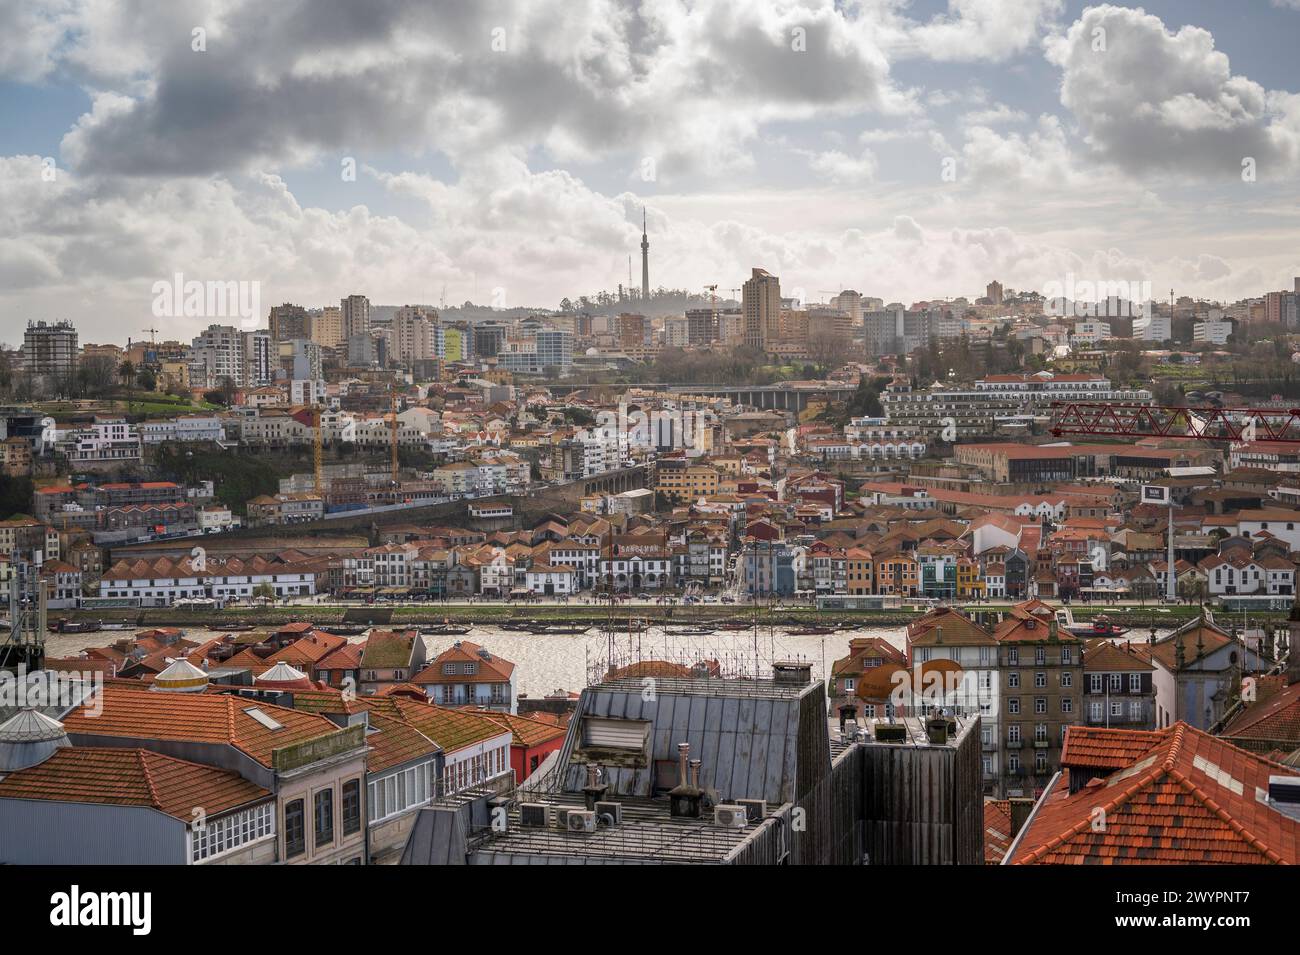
(1108, 420)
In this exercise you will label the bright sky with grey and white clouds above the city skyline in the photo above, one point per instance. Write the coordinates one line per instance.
(502, 151)
